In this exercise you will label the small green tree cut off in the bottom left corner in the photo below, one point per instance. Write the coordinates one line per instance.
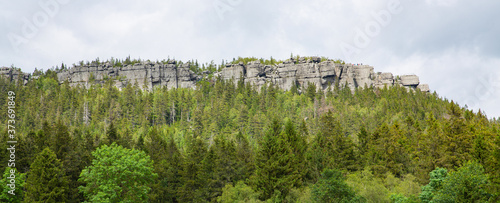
(8, 193)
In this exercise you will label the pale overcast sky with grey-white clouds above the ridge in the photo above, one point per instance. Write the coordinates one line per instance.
(453, 45)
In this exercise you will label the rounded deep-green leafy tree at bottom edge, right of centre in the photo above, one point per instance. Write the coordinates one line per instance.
(331, 187)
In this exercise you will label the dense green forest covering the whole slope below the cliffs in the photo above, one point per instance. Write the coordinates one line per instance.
(227, 141)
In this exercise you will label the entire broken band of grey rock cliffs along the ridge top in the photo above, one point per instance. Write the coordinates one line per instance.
(302, 72)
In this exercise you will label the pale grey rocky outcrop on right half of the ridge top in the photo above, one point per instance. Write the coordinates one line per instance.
(303, 72)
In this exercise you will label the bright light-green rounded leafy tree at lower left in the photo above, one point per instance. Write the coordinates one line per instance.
(132, 174)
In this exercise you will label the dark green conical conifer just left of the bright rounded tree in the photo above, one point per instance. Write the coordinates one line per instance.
(46, 180)
